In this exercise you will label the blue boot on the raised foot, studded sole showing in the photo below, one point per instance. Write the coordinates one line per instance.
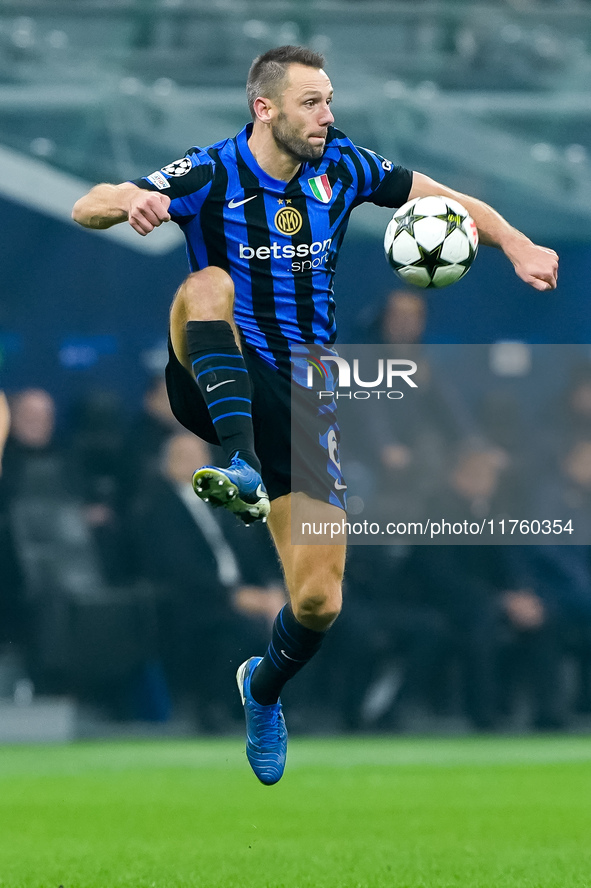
(239, 488)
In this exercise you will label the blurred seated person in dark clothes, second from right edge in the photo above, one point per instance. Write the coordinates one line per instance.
(493, 611)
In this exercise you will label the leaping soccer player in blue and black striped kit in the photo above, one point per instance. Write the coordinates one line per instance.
(264, 215)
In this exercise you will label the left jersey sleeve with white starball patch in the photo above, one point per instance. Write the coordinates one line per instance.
(180, 180)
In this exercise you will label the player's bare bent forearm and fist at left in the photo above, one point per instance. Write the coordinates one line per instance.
(106, 205)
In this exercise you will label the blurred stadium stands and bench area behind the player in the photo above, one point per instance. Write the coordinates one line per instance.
(103, 628)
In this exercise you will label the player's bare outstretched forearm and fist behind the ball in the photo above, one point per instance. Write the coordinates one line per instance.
(537, 266)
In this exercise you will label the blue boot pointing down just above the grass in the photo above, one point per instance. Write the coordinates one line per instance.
(266, 734)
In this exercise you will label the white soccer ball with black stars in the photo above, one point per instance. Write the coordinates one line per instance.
(431, 241)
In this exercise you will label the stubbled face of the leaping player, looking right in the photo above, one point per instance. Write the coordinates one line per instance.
(303, 113)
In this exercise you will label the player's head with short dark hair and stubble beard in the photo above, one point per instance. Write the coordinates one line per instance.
(289, 93)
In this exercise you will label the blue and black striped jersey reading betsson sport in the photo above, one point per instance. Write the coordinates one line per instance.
(279, 241)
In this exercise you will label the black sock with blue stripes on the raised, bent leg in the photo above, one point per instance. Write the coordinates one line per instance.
(222, 376)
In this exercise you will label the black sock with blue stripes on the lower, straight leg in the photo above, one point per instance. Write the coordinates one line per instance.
(292, 646)
